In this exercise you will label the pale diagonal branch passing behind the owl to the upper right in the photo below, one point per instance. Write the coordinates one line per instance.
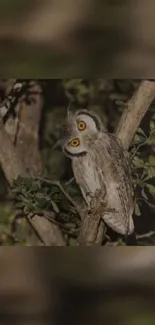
(131, 117)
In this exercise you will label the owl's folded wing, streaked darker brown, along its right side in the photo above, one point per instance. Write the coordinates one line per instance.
(113, 161)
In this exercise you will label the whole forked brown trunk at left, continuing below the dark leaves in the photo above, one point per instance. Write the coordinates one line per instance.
(24, 159)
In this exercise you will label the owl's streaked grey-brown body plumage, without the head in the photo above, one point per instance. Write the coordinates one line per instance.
(105, 166)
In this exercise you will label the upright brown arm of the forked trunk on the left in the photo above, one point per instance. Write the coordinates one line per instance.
(27, 137)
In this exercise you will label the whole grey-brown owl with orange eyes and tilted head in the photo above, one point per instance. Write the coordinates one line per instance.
(99, 163)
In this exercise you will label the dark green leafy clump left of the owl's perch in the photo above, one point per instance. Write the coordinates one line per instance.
(38, 196)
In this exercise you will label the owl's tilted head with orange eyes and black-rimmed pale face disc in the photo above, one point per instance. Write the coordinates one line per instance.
(81, 129)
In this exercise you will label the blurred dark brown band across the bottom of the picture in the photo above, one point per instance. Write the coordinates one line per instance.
(53, 286)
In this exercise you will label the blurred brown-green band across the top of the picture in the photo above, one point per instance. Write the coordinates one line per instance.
(69, 38)
